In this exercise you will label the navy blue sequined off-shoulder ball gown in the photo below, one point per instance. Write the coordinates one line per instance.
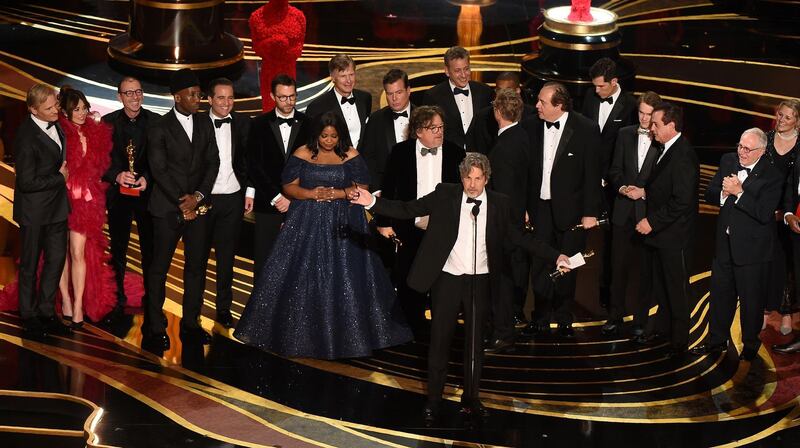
(321, 292)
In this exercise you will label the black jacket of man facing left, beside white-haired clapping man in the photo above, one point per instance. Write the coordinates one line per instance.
(671, 195)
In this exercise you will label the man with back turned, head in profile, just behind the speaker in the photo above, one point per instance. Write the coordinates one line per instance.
(510, 164)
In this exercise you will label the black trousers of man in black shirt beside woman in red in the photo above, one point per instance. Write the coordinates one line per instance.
(121, 213)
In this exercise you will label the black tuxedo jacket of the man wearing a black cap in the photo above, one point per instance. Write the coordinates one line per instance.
(180, 166)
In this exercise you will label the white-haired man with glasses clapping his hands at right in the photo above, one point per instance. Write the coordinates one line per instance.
(747, 188)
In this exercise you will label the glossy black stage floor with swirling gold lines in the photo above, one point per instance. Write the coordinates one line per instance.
(726, 69)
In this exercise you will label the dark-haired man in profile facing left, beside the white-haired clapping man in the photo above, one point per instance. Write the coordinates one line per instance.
(668, 226)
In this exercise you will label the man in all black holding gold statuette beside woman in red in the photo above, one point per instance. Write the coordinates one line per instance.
(130, 128)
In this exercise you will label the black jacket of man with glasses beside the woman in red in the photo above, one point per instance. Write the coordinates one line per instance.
(119, 155)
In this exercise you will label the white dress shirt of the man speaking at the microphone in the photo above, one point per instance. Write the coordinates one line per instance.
(459, 262)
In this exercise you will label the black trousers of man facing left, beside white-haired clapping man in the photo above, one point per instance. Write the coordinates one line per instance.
(670, 289)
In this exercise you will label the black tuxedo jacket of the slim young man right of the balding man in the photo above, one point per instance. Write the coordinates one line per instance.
(624, 170)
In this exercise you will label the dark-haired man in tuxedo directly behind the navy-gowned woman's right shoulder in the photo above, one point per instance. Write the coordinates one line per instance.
(388, 126)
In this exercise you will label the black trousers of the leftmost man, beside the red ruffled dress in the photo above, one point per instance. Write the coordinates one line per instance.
(50, 242)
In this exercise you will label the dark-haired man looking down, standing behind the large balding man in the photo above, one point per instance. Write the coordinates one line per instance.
(612, 109)
